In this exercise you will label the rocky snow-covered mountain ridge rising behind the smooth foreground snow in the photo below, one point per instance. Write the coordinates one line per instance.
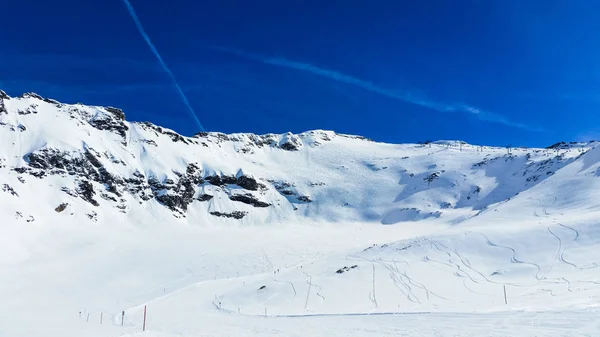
(90, 163)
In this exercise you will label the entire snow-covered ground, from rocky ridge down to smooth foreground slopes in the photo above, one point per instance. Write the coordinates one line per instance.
(316, 234)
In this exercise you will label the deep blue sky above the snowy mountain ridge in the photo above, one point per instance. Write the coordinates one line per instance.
(487, 72)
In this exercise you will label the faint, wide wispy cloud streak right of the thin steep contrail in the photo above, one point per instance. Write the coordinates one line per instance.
(404, 96)
